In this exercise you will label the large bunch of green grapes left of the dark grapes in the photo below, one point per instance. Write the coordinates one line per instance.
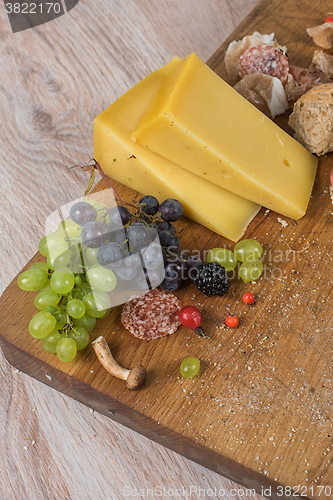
(72, 291)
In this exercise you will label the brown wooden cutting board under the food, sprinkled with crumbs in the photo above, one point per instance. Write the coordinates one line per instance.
(260, 410)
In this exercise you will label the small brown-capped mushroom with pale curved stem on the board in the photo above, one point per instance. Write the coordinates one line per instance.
(135, 378)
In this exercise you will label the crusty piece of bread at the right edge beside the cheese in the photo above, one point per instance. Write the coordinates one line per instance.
(312, 119)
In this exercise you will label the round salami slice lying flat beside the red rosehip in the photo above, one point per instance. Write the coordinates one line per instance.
(153, 315)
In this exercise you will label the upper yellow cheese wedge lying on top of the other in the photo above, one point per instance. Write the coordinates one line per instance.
(201, 123)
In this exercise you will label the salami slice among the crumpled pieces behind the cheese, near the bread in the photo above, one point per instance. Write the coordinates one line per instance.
(264, 59)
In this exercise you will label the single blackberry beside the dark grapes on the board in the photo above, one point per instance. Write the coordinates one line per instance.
(212, 279)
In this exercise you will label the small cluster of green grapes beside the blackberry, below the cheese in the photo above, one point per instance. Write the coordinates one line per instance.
(247, 252)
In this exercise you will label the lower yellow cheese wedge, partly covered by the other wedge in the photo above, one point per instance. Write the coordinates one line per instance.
(149, 173)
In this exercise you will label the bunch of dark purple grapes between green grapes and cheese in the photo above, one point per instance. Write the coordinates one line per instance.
(123, 240)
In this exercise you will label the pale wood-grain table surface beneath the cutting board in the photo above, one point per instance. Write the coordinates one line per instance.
(54, 80)
